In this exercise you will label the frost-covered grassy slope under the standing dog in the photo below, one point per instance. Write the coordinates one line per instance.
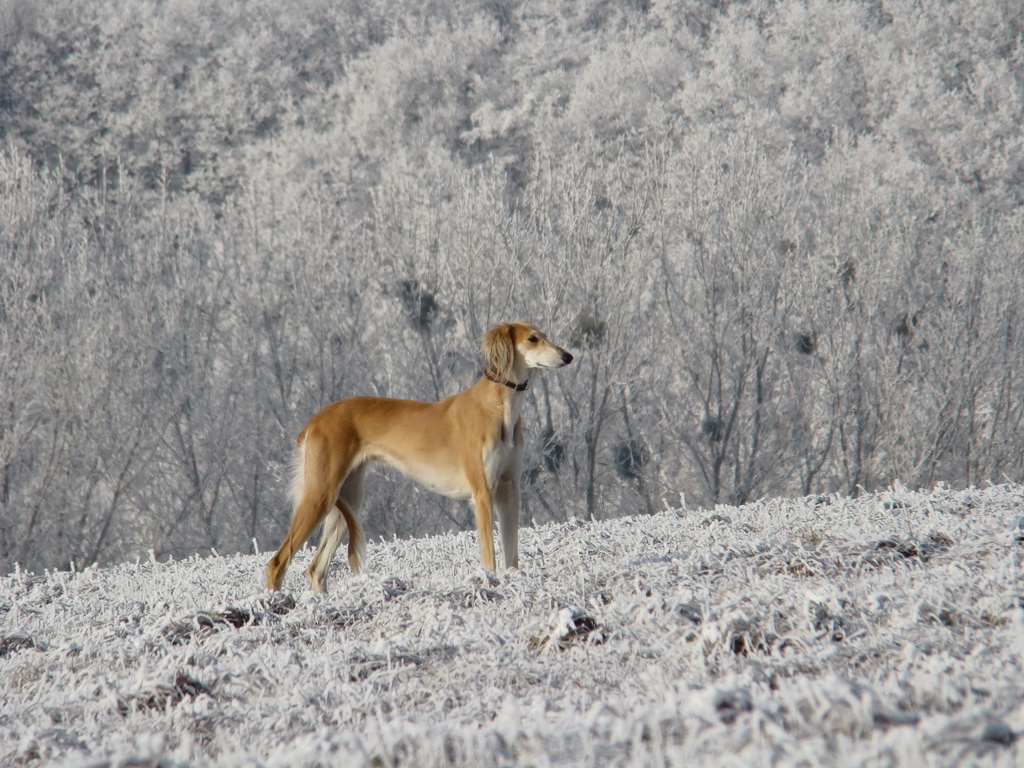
(886, 630)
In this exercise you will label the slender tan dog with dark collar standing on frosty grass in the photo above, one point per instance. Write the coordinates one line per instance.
(468, 446)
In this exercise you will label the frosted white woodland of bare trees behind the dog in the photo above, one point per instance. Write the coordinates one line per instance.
(785, 240)
